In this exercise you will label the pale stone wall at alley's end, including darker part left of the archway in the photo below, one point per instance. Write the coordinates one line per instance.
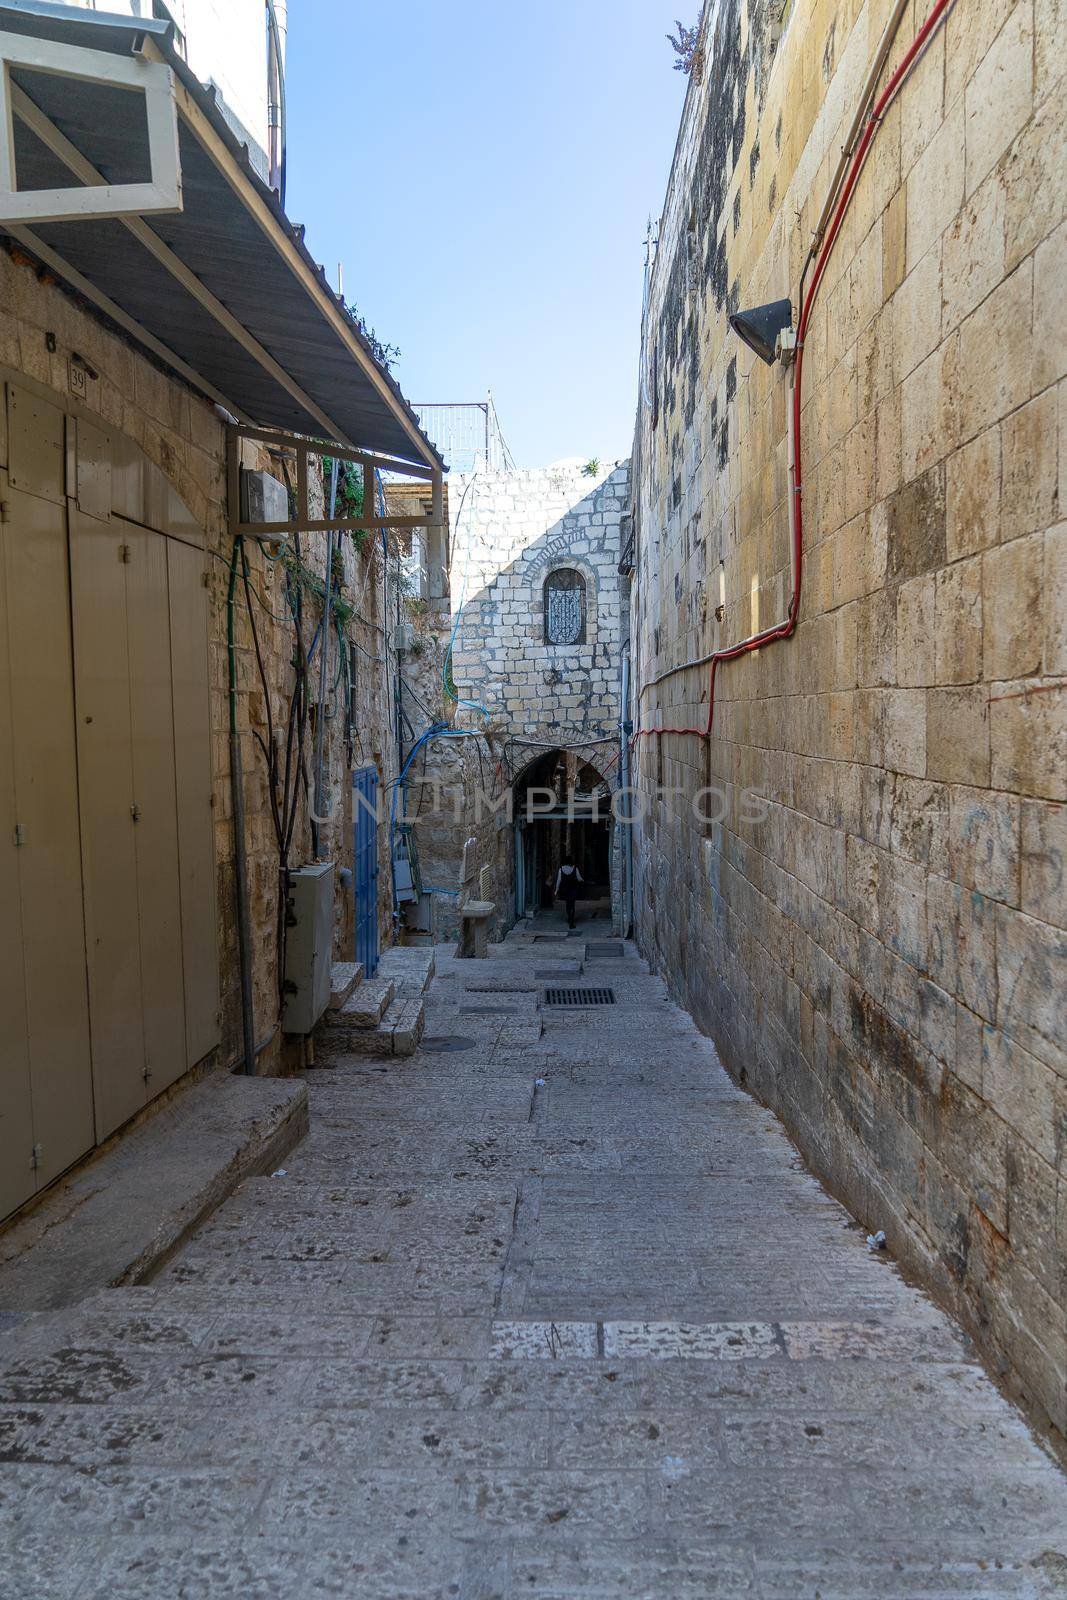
(508, 534)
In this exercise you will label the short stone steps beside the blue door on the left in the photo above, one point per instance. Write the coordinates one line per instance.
(382, 1015)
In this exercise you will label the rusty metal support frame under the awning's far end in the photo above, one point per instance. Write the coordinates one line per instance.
(303, 522)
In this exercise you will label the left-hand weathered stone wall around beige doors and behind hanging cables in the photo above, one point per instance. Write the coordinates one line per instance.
(185, 438)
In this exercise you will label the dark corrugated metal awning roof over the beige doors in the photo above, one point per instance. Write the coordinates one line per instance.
(231, 234)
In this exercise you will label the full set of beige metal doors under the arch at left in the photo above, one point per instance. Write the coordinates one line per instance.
(108, 924)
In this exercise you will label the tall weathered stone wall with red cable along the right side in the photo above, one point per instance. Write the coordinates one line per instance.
(881, 959)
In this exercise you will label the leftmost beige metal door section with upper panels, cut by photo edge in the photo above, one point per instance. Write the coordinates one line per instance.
(47, 1038)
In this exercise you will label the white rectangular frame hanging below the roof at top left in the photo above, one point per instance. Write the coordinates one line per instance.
(153, 79)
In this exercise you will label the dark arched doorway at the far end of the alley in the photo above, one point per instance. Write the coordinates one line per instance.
(562, 806)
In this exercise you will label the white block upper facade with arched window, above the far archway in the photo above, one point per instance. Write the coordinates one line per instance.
(510, 532)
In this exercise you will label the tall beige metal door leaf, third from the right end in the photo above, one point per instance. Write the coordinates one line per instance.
(102, 674)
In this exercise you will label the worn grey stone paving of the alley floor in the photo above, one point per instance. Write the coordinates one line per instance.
(548, 1310)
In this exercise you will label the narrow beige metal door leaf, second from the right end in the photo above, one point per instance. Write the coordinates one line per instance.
(156, 833)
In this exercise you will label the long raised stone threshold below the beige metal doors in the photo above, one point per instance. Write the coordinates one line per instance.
(121, 1215)
